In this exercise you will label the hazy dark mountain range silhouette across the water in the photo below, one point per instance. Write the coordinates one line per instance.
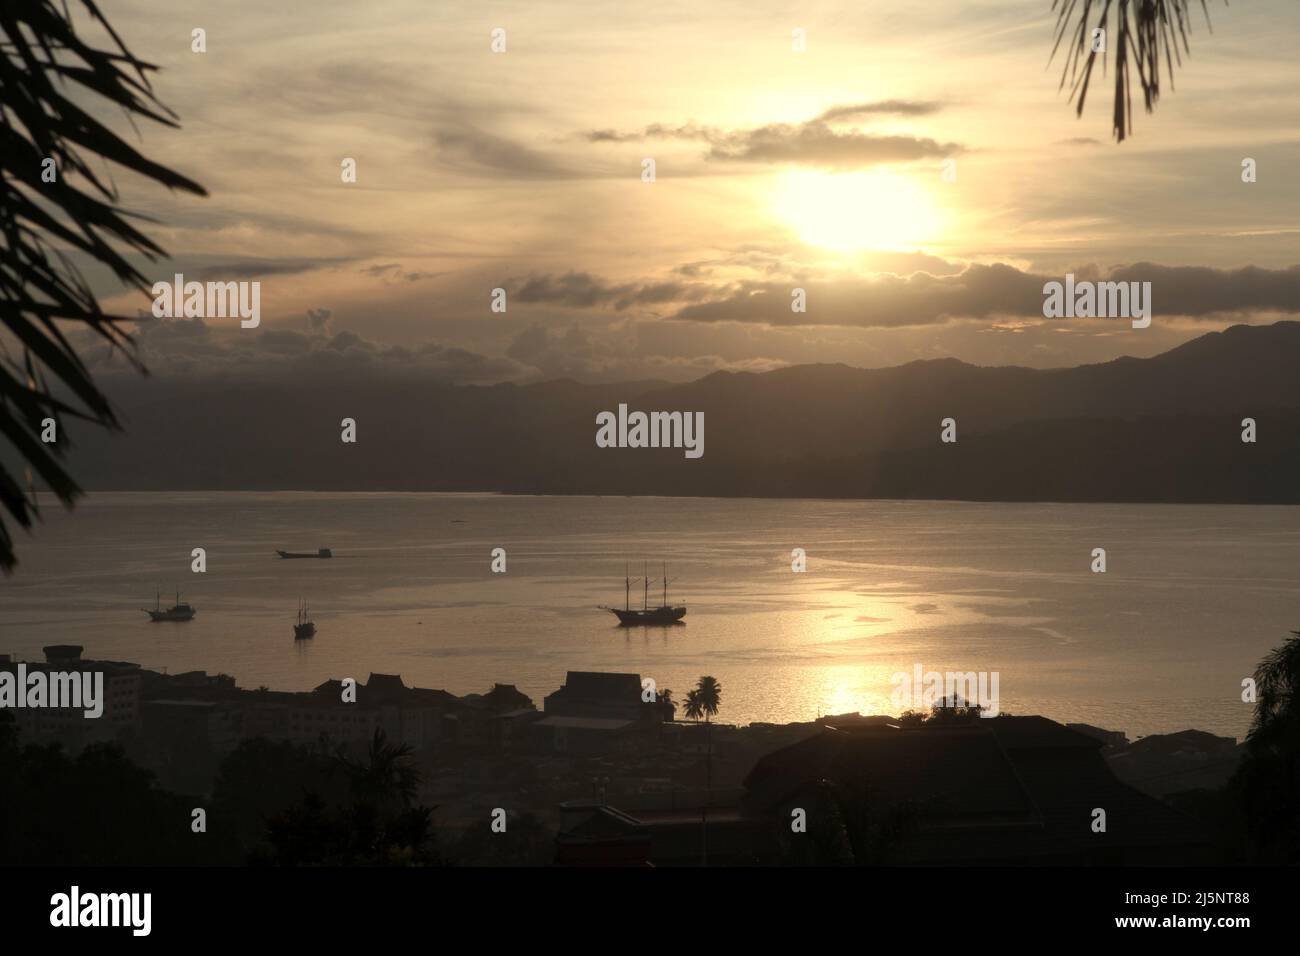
(1165, 429)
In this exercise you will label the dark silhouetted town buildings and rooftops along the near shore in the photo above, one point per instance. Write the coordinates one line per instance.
(621, 785)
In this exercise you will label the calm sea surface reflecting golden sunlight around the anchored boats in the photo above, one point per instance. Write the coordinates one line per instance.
(1193, 598)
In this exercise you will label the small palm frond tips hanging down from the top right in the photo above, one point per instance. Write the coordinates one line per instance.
(1146, 32)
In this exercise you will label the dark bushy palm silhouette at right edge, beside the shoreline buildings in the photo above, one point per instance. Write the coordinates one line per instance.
(1268, 781)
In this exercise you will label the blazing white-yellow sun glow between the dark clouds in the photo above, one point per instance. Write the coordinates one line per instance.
(846, 213)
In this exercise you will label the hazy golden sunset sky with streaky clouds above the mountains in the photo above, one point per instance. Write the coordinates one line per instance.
(775, 170)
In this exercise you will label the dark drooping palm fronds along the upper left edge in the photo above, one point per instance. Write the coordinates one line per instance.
(44, 133)
